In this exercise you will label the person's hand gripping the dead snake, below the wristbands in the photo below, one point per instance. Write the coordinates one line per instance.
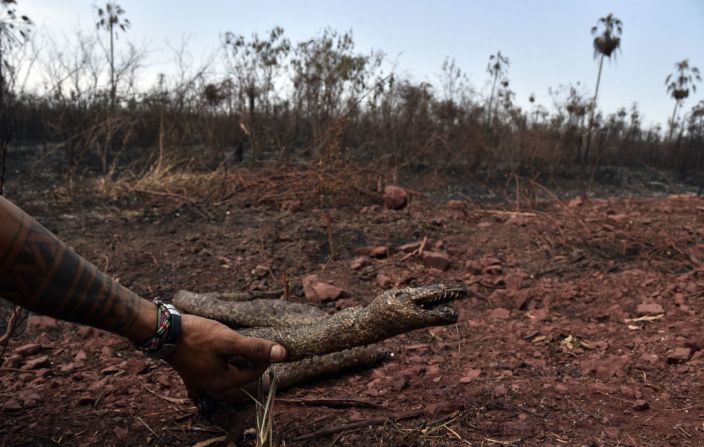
(202, 357)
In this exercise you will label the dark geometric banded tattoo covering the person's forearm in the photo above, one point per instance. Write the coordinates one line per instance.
(39, 272)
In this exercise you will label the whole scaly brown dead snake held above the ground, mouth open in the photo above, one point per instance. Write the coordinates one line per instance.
(318, 343)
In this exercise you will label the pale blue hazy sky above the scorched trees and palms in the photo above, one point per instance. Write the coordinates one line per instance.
(548, 42)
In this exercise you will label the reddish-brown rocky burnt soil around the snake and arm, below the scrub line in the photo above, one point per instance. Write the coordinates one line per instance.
(584, 327)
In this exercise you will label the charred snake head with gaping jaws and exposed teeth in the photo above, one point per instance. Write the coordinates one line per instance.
(428, 305)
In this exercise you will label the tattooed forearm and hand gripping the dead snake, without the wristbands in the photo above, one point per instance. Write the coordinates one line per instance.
(41, 273)
